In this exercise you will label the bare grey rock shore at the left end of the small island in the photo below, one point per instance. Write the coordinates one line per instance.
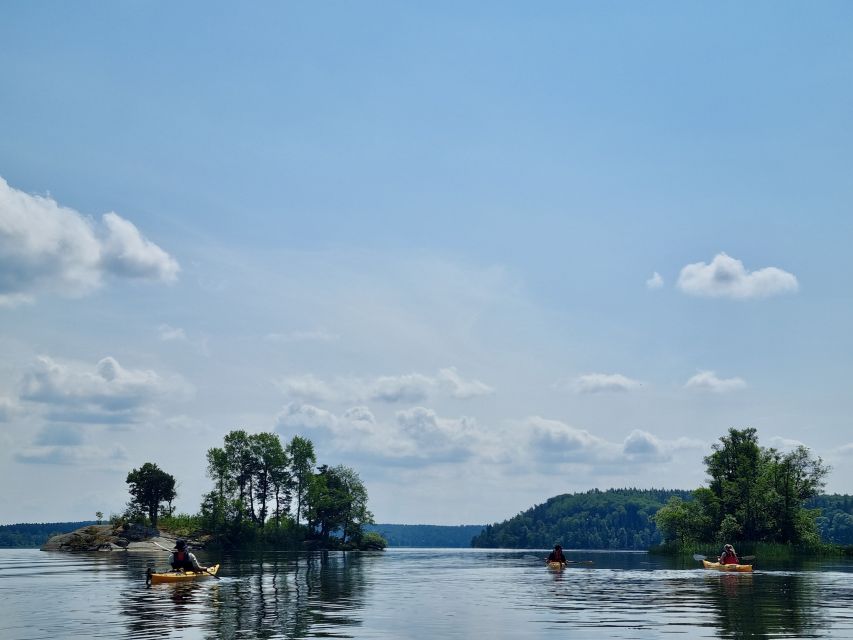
(109, 538)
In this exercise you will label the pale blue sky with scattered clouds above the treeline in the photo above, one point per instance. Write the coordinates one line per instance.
(483, 253)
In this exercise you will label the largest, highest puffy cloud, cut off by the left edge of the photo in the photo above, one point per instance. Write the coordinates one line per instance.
(45, 247)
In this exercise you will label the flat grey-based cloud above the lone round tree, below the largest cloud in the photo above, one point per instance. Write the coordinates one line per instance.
(109, 394)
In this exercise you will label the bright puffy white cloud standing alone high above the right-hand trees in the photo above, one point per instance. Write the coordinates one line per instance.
(726, 277)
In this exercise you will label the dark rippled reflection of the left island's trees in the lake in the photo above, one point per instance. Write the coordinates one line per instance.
(289, 595)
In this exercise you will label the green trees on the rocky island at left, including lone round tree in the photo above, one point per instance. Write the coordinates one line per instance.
(265, 494)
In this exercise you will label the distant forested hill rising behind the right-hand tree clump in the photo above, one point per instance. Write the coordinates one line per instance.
(612, 519)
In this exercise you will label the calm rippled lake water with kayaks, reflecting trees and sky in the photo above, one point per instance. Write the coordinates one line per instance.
(420, 594)
